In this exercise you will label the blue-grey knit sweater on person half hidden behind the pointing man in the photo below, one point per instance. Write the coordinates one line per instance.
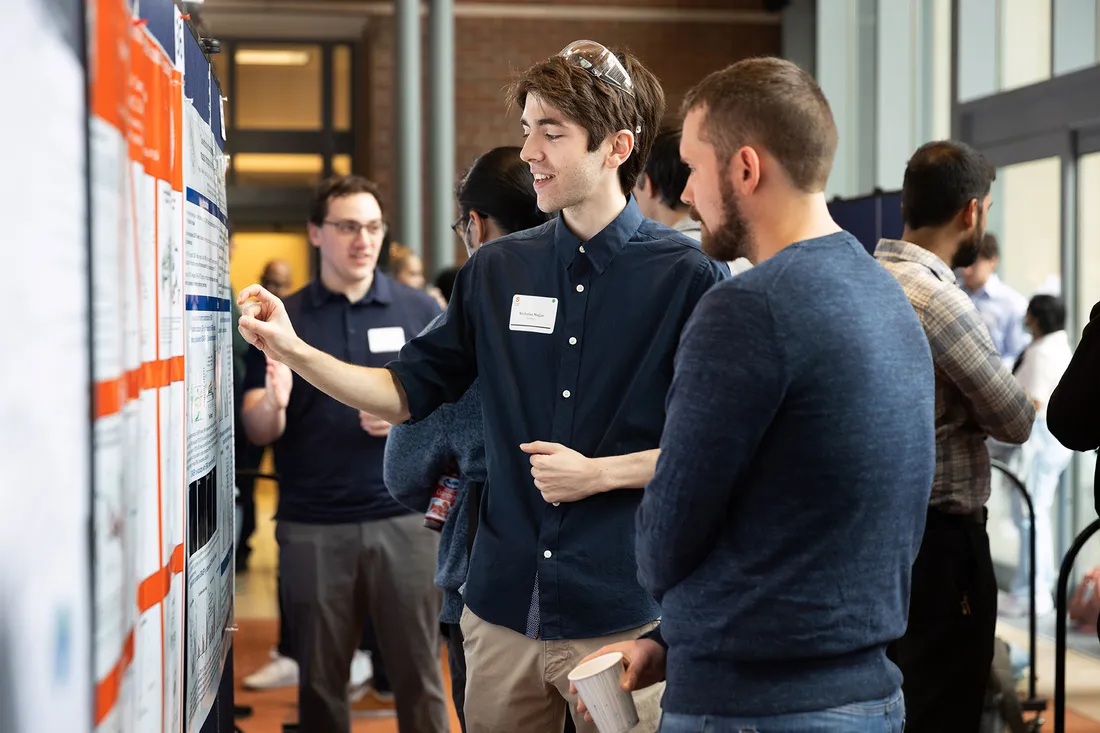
(416, 456)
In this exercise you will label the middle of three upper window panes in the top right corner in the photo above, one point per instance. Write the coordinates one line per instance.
(1026, 43)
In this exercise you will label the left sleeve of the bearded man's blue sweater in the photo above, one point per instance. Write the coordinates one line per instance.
(729, 384)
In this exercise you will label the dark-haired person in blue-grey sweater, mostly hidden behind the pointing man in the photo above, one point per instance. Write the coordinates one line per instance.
(497, 198)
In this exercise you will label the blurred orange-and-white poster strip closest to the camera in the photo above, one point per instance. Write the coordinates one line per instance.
(114, 358)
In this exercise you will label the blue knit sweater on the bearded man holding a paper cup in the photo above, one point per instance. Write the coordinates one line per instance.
(789, 502)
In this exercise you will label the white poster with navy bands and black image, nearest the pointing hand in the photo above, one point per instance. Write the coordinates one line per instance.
(211, 477)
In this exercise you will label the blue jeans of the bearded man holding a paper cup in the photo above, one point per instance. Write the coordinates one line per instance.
(886, 716)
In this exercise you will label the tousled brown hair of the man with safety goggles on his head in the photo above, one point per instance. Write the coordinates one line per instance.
(599, 107)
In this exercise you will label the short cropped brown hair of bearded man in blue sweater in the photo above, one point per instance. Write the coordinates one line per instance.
(774, 104)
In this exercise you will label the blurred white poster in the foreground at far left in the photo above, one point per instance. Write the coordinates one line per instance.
(46, 476)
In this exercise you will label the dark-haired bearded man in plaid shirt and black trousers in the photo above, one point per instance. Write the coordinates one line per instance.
(948, 650)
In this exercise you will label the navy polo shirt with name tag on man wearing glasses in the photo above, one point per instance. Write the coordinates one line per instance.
(331, 469)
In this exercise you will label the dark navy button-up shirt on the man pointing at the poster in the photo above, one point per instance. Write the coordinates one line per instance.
(595, 380)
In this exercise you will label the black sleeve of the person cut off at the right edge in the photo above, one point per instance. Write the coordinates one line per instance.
(1074, 411)
